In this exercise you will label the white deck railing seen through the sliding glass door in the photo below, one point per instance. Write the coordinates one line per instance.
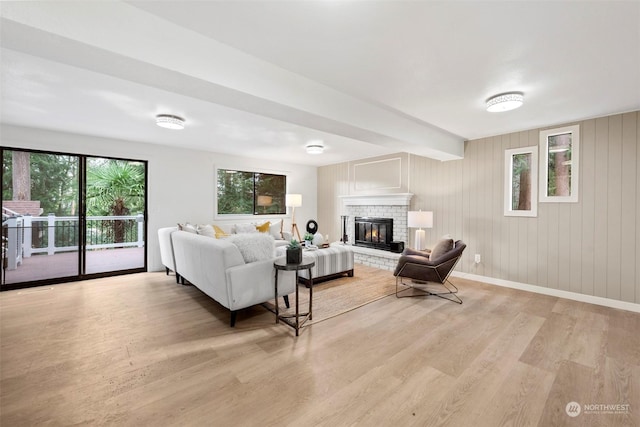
(23, 236)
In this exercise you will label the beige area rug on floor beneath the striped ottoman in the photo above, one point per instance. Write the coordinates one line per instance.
(338, 296)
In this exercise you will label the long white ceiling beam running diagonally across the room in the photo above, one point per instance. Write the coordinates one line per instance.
(148, 50)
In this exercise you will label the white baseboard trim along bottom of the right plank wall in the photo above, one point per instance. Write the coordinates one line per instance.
(607, 302)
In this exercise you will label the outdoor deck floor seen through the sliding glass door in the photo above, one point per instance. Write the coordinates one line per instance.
(40, 267)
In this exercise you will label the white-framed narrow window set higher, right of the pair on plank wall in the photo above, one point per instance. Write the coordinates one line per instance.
(560, 161)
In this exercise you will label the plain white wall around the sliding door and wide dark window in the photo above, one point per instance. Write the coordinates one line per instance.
(180, 182)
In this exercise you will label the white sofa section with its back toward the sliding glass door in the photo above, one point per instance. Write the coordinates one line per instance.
(218, 268)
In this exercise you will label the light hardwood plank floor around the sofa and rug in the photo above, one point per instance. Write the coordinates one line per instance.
(142, 350)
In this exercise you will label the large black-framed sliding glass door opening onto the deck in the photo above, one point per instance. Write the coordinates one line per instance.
(68, 217)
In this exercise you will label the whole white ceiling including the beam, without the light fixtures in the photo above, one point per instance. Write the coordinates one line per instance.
(263, 78)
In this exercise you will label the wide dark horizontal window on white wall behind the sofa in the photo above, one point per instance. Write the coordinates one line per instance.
(250, 193)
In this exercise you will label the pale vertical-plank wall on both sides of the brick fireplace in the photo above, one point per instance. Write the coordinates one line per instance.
(590, 247)
